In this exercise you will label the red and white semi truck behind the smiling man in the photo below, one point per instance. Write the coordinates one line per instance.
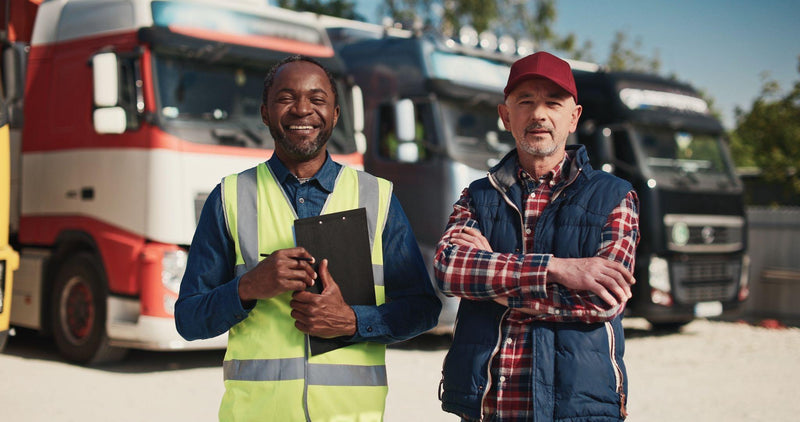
(124, 115)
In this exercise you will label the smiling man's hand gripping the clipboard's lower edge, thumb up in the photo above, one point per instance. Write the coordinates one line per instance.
(324, 315)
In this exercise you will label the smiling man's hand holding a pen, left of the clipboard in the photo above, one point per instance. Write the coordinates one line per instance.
(282, 271)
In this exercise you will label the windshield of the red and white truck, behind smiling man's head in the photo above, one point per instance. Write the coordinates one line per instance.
(219, 103)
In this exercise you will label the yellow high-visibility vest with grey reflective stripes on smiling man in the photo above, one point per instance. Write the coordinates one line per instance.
(266, 366)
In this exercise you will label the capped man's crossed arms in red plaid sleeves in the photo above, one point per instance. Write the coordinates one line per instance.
(590, 289)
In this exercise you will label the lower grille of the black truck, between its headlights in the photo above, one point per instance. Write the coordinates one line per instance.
(706, 280)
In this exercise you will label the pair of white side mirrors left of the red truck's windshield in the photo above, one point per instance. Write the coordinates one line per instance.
(108, 116)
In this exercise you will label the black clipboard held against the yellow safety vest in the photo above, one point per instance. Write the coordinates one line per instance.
(343, 239)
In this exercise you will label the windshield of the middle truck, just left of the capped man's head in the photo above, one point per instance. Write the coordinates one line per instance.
(478, 139)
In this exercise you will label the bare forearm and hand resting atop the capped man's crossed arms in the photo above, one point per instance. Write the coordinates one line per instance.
(609, 280)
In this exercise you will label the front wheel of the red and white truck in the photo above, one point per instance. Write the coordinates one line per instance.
(79, 312)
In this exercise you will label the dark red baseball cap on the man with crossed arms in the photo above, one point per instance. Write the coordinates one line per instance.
(542, 65)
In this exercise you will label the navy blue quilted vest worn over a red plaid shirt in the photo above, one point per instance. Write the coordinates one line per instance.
(578, 370)
